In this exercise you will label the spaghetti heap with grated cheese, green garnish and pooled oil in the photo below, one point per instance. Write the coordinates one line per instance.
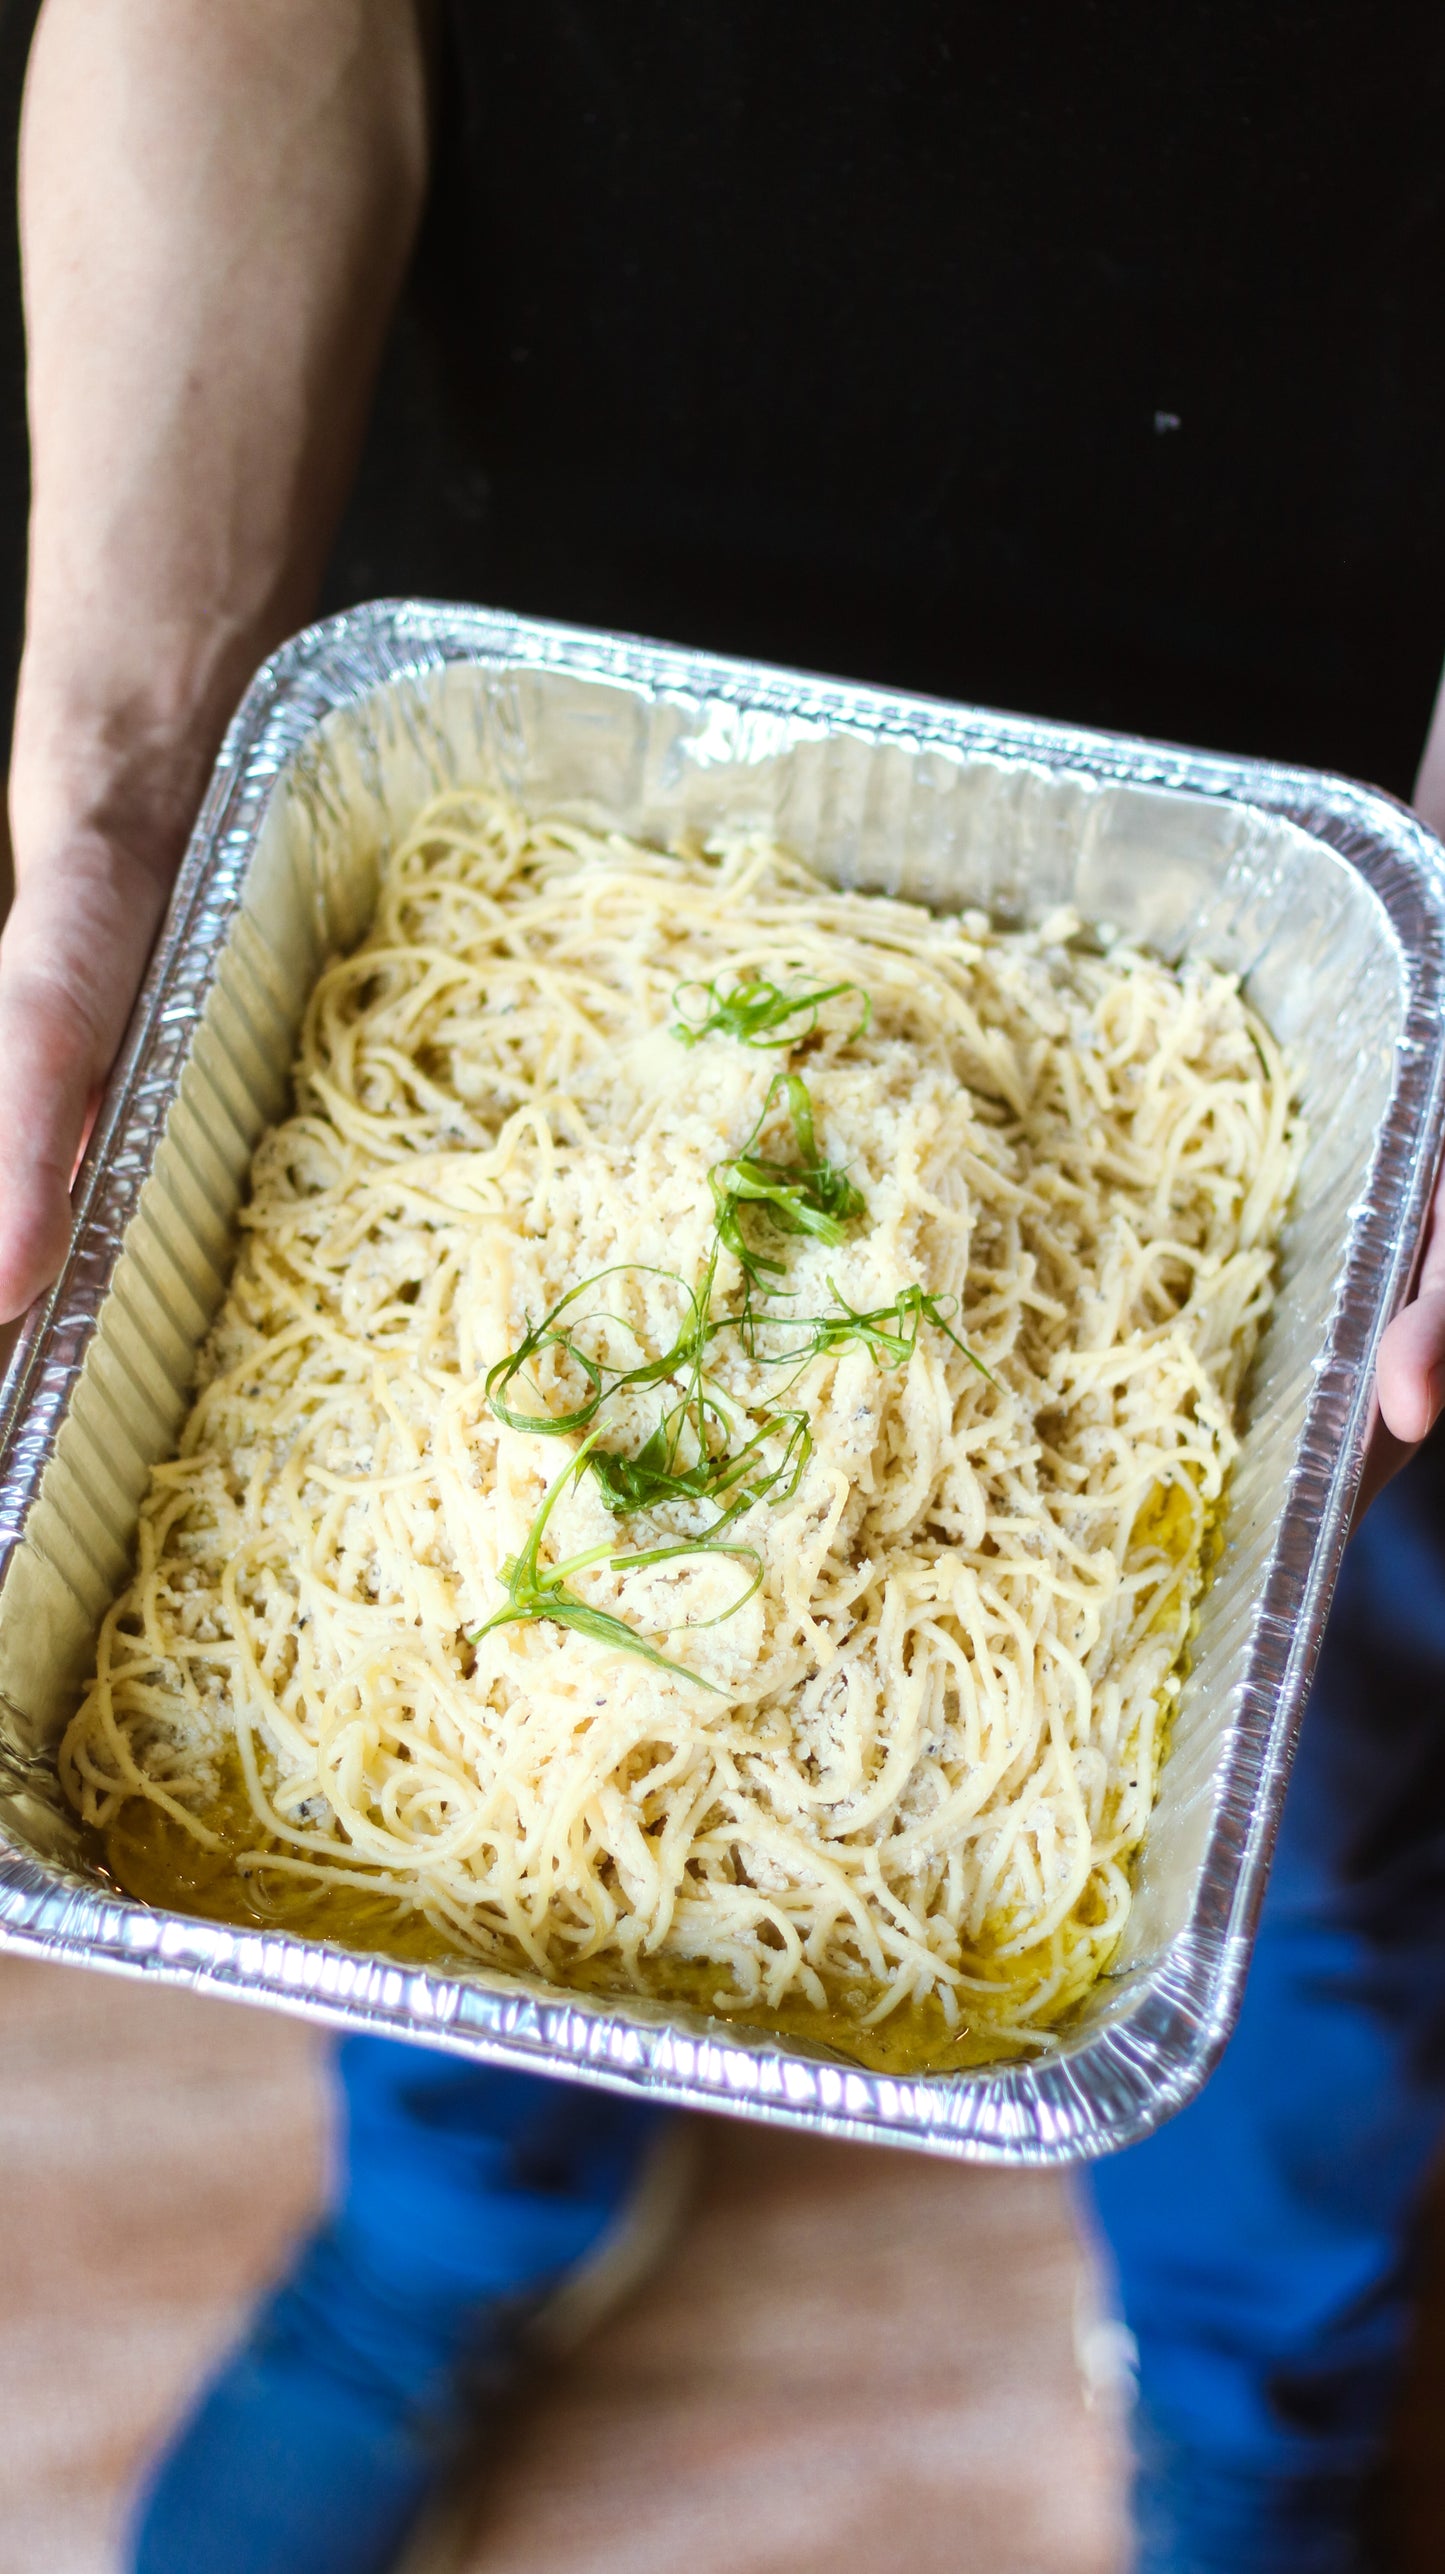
(707, 1461)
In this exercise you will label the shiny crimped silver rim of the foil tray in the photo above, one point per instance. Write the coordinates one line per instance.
(1075, 2102)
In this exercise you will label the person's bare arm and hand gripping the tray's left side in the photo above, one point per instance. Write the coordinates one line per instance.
(218, 207)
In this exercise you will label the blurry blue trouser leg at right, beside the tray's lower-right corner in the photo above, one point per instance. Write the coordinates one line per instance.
(1263, 2241)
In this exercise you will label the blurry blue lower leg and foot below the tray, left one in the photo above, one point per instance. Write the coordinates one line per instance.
(462, 2197)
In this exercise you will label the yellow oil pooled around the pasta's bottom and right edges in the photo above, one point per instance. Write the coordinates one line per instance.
(164, 1865)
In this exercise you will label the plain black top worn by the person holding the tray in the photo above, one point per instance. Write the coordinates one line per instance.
(1083, 359)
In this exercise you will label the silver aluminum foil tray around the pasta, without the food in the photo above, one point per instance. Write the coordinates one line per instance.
(1328, 897)
